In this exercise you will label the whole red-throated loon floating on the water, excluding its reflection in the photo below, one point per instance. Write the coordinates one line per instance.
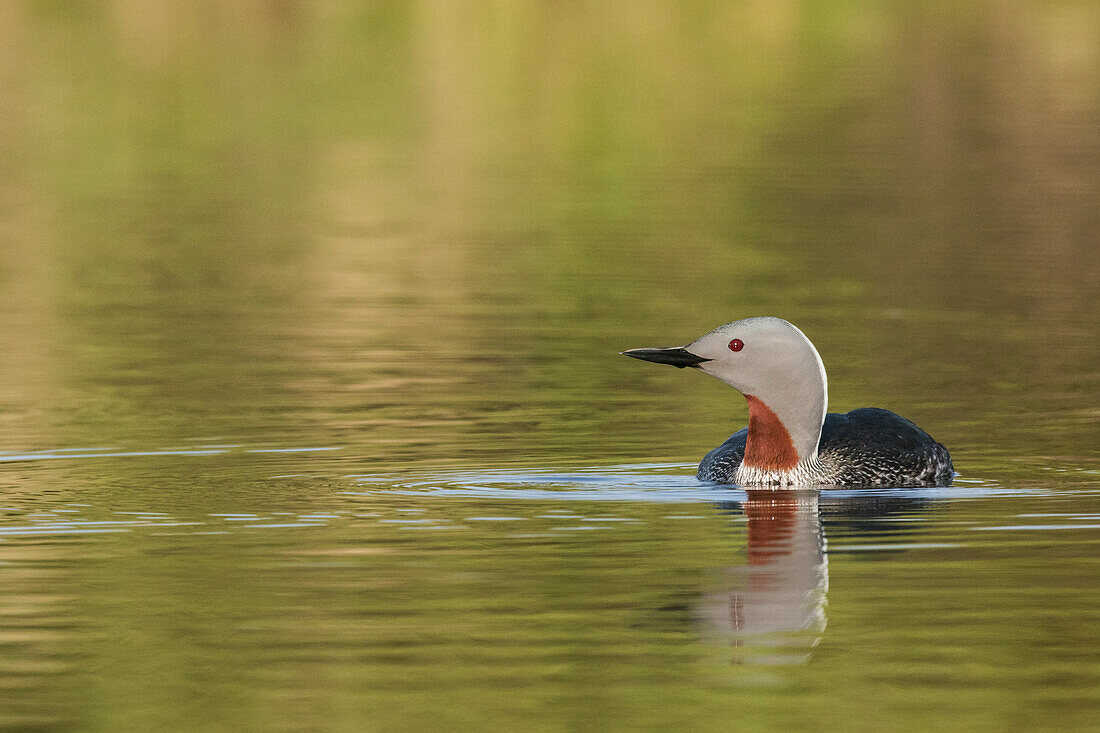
(790, 440)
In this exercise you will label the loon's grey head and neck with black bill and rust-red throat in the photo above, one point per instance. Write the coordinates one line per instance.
(782, 376)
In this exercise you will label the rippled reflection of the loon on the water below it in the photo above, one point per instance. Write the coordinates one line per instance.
(772, 611)
